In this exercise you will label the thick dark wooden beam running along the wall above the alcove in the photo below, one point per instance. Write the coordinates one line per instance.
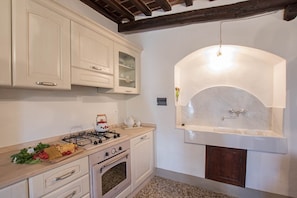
(226, 12)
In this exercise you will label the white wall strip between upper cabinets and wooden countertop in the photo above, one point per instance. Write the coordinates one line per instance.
(28, 115)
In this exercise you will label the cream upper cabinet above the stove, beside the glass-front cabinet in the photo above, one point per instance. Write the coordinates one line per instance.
(91, 57)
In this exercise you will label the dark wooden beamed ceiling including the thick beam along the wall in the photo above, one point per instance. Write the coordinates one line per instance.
(125, 12)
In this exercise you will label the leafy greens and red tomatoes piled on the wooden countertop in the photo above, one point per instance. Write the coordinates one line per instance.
(30, 155)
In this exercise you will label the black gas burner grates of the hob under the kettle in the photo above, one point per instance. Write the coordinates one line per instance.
(91, 137)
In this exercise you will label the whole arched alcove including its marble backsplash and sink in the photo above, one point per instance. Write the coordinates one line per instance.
(241, 92)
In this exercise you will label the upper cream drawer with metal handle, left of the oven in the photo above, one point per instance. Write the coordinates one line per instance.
(51, 180)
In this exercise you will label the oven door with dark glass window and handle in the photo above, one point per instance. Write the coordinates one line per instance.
(112, 176)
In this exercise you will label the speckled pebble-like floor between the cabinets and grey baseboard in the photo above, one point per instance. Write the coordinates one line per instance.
(160, 187)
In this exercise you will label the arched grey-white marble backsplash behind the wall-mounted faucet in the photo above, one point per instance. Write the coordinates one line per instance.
(227, 107)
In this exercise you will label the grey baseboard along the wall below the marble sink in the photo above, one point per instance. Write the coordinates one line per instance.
(215, 186)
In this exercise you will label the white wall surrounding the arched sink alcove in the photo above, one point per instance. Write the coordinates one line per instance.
(164, 48)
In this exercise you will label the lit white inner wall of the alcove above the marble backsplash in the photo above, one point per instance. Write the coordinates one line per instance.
(258, 72)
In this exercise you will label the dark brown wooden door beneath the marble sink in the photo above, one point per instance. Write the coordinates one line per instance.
(226, 165)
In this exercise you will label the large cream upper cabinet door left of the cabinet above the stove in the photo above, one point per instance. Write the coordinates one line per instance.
(41, 46)
